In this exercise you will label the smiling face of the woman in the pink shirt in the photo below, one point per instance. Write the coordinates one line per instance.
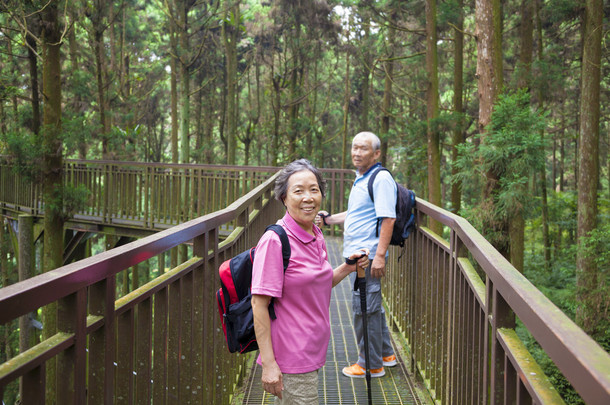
(303, 198)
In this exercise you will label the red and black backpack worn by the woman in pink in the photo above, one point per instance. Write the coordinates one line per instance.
(234, 296)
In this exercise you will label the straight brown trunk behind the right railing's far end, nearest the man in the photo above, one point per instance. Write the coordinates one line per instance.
(434, 153)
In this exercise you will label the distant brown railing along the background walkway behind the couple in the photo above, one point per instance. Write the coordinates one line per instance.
(151, 195)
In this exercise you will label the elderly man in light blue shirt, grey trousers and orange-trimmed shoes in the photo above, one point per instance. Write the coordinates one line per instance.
(368, 223)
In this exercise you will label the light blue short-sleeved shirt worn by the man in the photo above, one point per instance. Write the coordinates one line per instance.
(360, 225)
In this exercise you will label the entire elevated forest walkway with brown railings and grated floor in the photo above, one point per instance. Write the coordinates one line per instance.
(452, 298)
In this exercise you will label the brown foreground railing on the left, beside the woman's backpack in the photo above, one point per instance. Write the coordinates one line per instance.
(163, 341)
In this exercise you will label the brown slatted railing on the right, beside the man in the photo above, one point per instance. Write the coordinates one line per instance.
(460, 328)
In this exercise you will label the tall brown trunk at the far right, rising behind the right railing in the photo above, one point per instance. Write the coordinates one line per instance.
(588, 276)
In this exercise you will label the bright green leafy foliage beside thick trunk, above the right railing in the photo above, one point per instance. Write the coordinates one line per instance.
(512, 149)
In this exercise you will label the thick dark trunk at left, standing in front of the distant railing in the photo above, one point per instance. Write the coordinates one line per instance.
(52, 168)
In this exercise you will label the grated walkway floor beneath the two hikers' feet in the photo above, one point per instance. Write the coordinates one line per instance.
(396, 387)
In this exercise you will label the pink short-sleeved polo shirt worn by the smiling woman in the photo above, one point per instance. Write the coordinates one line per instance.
(301, 332)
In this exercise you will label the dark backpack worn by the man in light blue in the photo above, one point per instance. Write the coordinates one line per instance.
(405, 217)
